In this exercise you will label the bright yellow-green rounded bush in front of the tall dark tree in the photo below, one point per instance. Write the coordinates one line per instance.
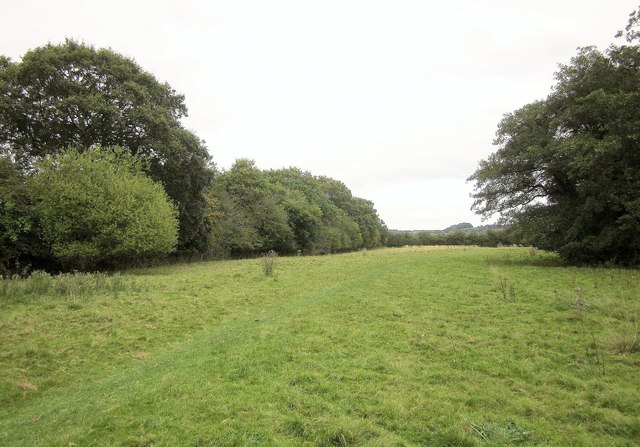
(97, 207)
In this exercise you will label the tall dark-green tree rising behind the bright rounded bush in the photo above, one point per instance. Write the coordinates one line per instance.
(74, 95)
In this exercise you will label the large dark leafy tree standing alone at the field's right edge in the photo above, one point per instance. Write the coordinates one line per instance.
(566, 173)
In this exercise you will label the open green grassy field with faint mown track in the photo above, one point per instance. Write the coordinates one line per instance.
(394, 347)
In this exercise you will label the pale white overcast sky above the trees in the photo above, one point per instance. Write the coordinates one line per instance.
(398, 99)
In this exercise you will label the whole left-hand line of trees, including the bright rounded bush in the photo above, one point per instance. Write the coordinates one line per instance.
(97, 171)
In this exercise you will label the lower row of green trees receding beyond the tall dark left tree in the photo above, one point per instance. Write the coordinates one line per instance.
(288, 210)
